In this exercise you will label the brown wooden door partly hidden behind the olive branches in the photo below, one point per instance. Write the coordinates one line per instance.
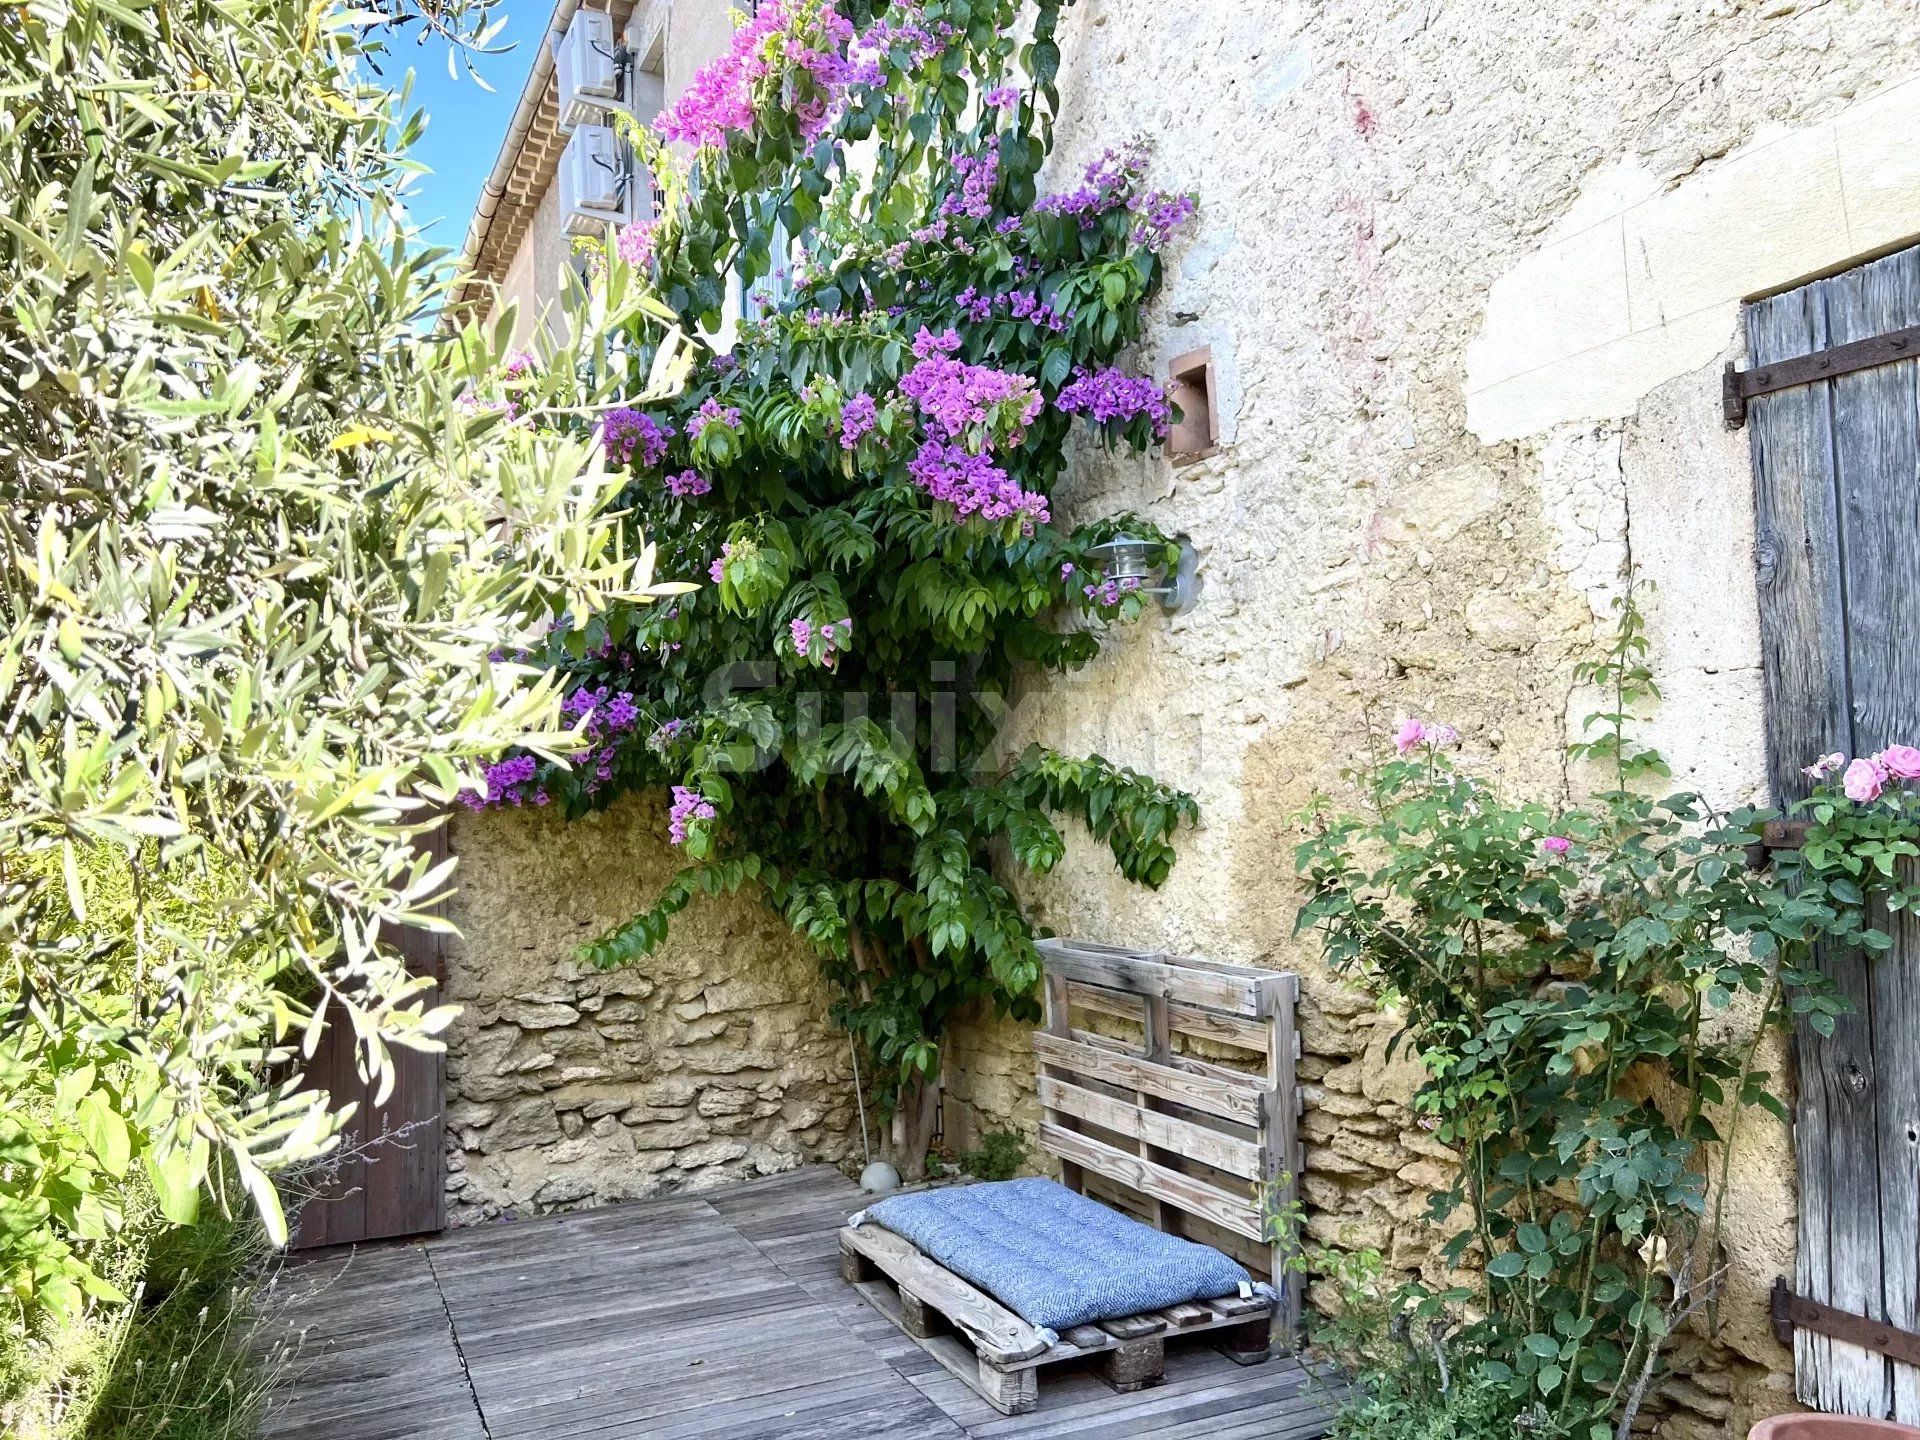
(391, 1172)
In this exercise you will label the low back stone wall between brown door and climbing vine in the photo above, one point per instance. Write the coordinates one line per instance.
(708, 1063)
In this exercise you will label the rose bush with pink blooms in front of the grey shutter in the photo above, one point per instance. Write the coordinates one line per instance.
(1589, 992)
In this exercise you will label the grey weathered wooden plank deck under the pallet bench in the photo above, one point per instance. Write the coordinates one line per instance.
(719, 1314)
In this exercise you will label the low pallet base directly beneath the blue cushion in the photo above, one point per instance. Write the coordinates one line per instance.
(1001, 1355)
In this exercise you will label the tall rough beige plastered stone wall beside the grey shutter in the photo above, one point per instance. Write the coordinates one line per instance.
(1470, 276)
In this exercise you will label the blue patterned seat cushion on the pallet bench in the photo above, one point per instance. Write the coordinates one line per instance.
(1053, 1257)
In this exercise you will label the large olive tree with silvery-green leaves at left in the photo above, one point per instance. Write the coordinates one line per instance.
(260, 558)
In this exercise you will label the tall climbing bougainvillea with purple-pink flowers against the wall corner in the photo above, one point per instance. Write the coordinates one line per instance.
(865, 479)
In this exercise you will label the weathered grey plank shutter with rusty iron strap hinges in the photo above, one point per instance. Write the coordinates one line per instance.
(1836, 471)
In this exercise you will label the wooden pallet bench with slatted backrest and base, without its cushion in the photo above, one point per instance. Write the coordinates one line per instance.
(1188, 1145)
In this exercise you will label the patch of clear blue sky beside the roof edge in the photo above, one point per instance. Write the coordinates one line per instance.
(468, 124)
